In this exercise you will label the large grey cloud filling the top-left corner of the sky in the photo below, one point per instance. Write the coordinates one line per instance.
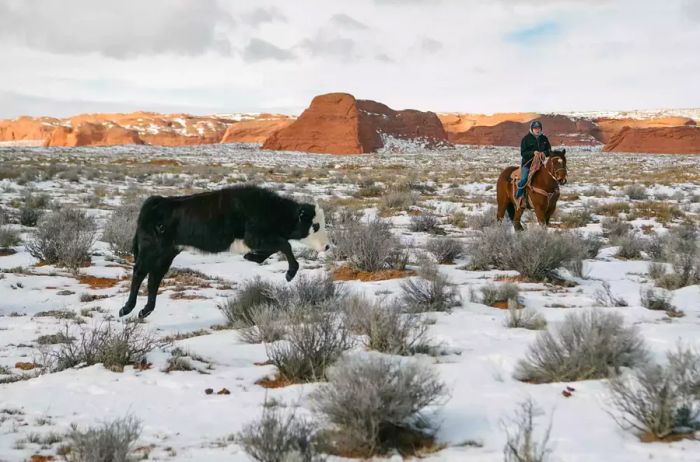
(122, 29)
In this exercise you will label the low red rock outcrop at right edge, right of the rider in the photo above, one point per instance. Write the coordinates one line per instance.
(662, 140)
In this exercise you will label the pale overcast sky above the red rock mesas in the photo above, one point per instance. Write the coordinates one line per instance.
(204, 56)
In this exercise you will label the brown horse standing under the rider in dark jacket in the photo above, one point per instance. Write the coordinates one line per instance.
(541, 193)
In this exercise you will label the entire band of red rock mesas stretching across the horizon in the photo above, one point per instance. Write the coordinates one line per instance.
(338, 123)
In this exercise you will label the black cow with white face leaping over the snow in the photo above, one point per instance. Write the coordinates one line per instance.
(247, 219)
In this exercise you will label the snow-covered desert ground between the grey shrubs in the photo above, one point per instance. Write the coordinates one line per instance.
(181, 422)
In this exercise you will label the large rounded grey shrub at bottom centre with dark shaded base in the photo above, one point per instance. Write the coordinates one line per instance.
(376, 404)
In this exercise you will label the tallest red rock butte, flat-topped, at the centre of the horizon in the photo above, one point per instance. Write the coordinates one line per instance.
(337, 123)
